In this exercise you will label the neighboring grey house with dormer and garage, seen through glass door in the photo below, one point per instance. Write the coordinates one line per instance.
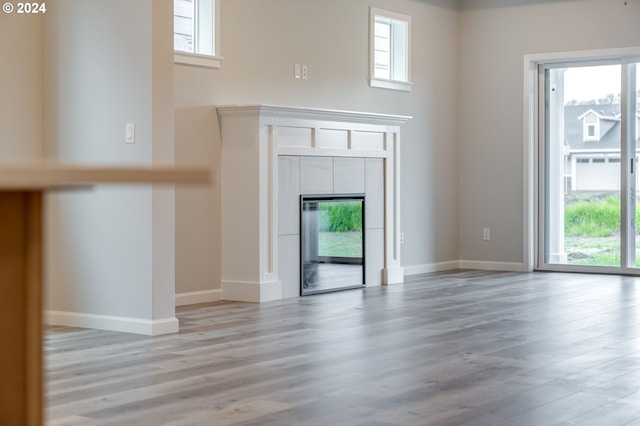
(592, 146)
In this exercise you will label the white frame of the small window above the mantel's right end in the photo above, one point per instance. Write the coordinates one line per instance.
(400, 46)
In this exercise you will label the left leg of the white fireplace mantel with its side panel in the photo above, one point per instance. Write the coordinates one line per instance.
(249, 254)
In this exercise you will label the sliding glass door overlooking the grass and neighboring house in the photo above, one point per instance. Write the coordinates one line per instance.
(587, 167)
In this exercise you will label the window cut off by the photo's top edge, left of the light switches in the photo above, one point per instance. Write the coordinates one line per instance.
(195, 33)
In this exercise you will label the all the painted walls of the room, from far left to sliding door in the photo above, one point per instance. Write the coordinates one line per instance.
(462, 154)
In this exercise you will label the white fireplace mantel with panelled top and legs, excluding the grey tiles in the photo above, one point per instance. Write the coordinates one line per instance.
(253, 136)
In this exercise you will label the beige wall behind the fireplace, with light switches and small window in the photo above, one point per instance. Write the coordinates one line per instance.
(261, 42)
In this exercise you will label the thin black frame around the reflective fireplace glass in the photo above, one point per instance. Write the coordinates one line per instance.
(329, 259)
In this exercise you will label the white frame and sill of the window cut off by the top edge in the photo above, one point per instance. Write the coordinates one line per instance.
(206, 37)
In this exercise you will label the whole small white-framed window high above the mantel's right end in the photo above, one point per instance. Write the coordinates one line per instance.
(389, 50)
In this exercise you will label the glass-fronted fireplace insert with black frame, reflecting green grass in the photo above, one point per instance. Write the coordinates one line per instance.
(332, 243)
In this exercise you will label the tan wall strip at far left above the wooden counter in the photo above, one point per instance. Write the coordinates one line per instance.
(20, 87)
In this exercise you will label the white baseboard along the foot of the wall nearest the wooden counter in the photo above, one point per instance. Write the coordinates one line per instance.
(112, 323)
